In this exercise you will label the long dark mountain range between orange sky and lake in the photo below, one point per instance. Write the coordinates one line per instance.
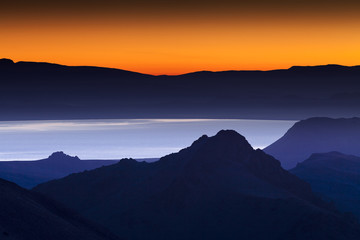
(31, 90)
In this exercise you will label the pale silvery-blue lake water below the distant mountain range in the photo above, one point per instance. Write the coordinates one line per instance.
(115, 139)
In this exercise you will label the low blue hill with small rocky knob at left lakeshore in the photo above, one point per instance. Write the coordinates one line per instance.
(28, 174)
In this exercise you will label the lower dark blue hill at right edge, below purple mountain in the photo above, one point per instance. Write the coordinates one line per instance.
(335, 176)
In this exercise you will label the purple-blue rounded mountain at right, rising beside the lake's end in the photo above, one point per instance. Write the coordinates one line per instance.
(316, 135)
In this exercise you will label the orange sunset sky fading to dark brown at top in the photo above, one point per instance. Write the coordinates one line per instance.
(171, 37)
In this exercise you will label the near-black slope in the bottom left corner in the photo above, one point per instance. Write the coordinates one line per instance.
(26, 215)
